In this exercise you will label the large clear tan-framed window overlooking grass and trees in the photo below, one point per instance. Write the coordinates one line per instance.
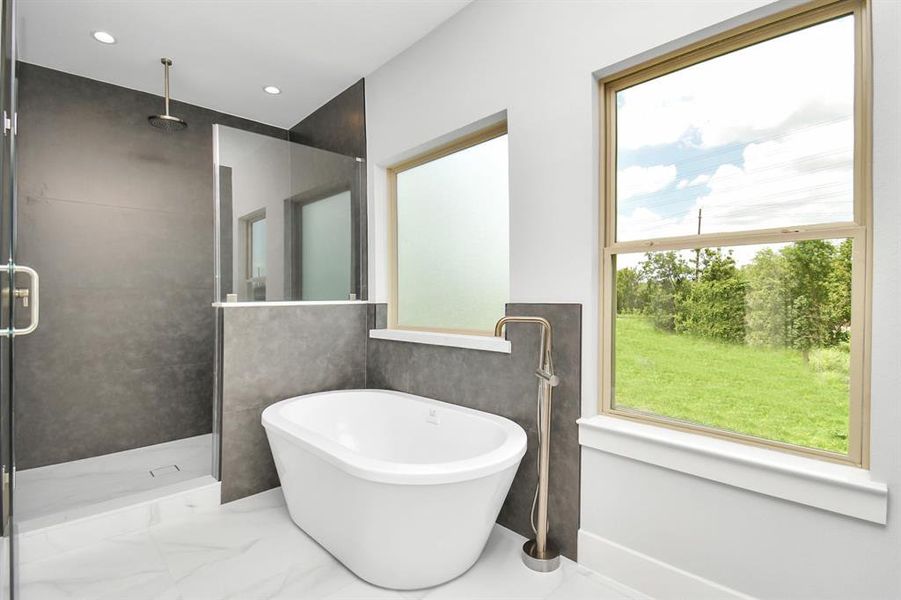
(737, 226)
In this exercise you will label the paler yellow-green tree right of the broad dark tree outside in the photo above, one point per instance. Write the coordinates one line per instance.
(767, 310)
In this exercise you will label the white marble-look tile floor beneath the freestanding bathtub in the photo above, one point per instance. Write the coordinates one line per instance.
(251, 550)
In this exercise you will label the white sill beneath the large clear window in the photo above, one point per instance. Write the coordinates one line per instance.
(828, 486)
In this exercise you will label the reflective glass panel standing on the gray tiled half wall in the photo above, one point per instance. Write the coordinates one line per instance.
(290, 220)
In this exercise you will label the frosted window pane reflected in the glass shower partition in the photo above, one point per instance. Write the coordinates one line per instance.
(325, 248)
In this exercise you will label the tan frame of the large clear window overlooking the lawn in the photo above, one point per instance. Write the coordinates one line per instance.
(860, 230)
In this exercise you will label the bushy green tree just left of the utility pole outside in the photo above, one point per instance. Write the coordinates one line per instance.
(665, 276)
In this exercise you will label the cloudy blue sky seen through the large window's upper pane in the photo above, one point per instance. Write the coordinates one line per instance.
(758, 138)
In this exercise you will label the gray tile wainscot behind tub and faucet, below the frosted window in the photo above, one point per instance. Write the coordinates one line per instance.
(505, 385)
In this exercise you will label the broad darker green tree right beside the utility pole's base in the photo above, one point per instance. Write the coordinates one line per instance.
(714, 305)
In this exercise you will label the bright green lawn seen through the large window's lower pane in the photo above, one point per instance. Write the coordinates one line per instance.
(769, 393)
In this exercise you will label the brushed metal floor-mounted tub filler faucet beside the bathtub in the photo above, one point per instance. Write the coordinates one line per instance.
(539, 554)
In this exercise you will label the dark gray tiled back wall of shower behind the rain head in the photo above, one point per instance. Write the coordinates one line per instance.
(117, 217)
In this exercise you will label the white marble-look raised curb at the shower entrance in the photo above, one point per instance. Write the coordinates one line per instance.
(45, 537)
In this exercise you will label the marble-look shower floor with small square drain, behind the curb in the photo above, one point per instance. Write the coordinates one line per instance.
(74, 486)
